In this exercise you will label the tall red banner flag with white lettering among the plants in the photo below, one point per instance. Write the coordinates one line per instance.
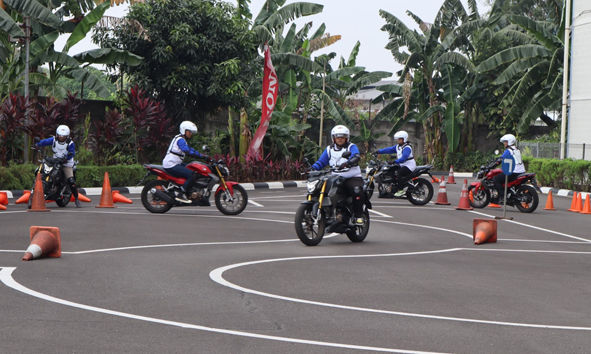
(270, 89)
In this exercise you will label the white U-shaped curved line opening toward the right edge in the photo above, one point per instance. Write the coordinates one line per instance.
(217, 276)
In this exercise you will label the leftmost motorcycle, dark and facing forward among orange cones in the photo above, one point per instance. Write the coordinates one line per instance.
(55, 186)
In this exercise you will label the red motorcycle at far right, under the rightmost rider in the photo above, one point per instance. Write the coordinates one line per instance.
(521, 193)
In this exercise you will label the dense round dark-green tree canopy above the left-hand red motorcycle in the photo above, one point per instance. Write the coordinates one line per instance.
(198, 54)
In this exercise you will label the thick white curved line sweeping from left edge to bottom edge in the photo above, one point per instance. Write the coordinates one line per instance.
(8, 280)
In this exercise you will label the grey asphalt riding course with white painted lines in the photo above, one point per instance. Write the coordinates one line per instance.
(196, 281)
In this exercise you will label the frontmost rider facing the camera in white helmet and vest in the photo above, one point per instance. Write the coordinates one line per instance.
(332, 156)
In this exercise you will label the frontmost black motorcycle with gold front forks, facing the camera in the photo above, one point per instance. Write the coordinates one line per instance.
(328, 209)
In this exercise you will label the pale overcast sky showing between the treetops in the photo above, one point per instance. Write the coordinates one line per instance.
(354, 20)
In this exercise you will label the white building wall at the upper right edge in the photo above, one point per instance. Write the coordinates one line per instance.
(579, 120)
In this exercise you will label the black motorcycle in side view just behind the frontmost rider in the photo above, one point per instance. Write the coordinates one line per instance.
(419, 191)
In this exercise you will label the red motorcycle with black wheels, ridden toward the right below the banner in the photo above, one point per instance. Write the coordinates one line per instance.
(158, 196)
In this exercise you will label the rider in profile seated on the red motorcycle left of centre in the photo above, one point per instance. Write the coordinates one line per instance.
(173, 161)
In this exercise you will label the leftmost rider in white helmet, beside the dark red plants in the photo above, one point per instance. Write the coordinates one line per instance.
(63, 147)
